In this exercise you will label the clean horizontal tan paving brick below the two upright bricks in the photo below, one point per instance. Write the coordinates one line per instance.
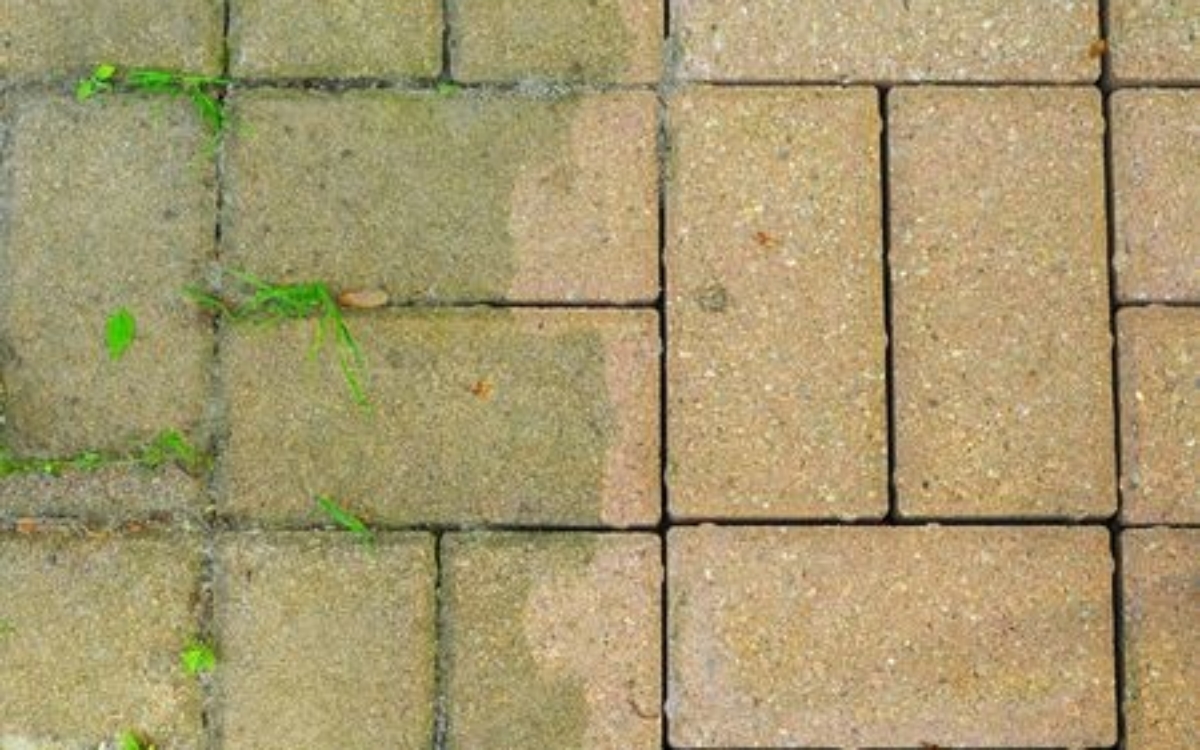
(859, 638)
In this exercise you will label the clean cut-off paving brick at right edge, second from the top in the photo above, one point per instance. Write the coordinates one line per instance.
(1156, 176)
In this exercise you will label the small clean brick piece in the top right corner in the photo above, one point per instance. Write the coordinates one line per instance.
(1155, 41)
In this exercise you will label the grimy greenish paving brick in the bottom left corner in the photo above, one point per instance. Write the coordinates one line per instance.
(93, 640)
